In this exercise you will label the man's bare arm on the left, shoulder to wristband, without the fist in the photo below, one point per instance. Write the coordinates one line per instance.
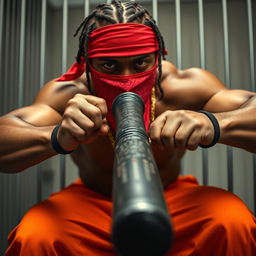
(25, 133)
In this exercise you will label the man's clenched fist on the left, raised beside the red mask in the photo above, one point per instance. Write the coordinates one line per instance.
(83, 121)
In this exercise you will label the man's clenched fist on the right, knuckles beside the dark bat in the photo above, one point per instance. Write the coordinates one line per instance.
(181, 129)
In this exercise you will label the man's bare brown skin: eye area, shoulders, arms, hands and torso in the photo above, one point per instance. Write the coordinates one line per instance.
(26, 132)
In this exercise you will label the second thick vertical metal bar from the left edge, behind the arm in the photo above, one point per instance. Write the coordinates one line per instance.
(41, 83)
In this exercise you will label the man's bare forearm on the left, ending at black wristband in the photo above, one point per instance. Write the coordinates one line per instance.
(22, 144)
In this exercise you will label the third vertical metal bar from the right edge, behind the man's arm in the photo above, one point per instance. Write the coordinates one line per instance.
(202, 64)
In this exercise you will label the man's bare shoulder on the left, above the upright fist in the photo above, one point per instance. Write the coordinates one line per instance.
(56, 94)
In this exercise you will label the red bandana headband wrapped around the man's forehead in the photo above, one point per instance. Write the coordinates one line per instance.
(120, 40)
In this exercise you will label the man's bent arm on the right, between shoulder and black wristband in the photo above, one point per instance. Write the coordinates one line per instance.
(235, 111)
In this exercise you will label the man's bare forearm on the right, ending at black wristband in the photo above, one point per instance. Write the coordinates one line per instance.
(238, 127)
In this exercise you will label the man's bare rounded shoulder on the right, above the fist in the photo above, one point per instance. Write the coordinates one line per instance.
(190, 88)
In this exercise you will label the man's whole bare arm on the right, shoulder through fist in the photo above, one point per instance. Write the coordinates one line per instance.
(190, 90)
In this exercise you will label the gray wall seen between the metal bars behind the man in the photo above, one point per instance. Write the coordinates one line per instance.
(20, 191)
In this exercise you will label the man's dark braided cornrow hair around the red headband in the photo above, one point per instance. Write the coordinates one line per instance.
(116, 12)
